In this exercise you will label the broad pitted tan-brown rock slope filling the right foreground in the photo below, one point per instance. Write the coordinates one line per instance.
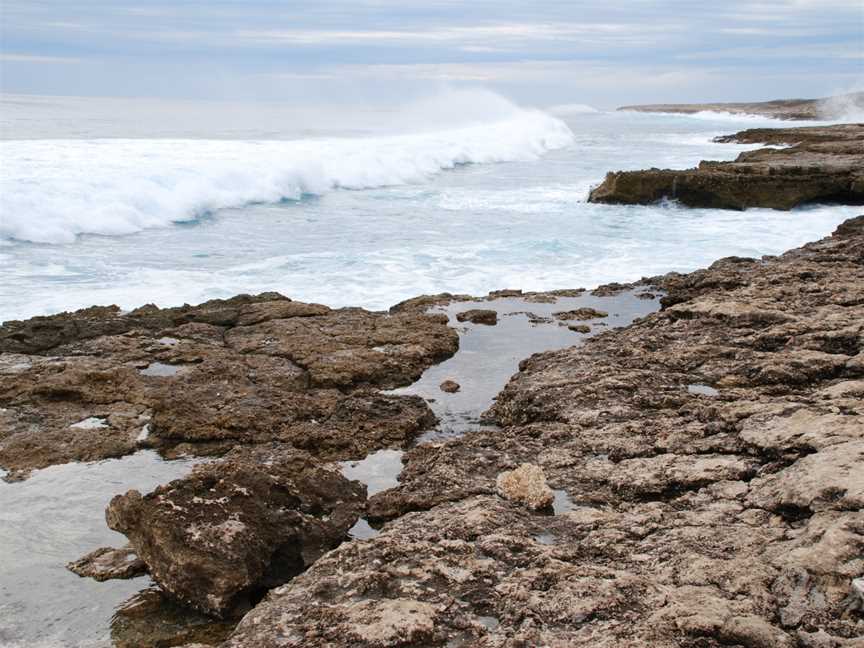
(711, 454)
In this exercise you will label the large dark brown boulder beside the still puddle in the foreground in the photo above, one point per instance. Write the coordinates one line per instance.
(252, 520)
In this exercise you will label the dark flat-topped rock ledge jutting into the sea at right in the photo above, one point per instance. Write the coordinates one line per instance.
(822, 164)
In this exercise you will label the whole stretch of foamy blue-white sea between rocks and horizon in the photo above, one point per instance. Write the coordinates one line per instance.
(127, 202)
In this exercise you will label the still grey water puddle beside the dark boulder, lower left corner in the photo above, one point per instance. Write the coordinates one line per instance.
(56, 516)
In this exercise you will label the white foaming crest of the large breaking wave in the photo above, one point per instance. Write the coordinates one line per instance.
(53, 190)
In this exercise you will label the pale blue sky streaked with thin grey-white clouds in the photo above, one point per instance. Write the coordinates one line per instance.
(604, 53)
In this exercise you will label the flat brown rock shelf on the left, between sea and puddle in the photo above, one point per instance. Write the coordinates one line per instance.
(98, 383)
